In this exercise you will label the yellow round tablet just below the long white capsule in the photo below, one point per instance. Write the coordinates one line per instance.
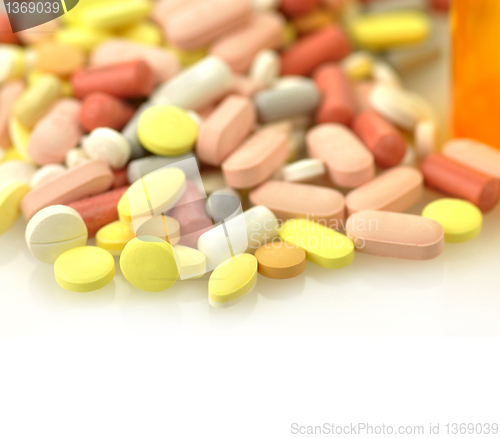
(167, 131)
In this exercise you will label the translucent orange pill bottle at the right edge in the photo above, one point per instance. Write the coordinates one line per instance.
(476, 70)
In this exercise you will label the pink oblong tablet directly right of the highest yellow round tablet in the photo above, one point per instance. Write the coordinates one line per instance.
(224, 130)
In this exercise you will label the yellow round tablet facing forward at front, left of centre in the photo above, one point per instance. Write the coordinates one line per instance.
(149, 263)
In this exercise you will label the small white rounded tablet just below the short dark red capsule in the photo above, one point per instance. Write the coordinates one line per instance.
(108, 145)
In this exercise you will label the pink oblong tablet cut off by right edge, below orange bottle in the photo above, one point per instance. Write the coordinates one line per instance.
(475, 155)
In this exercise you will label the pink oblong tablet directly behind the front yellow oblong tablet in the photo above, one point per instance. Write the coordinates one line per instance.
(292, 200)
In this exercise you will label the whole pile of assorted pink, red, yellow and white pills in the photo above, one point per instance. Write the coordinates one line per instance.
(305, 144)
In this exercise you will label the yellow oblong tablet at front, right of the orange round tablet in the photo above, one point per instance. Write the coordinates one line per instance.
(323, 246)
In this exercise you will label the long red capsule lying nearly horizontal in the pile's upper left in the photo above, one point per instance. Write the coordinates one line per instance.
(126, 80)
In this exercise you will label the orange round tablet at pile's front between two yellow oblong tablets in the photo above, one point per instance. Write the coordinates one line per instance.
(281, 260)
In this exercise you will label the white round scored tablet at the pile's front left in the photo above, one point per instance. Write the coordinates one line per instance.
(53, 231)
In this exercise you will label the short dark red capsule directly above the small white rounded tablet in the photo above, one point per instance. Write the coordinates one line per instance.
(100, 110)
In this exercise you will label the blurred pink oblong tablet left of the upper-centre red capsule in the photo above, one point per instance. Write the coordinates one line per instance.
(239, 47)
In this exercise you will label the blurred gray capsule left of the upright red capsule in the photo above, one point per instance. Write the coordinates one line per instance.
(297, 97)
